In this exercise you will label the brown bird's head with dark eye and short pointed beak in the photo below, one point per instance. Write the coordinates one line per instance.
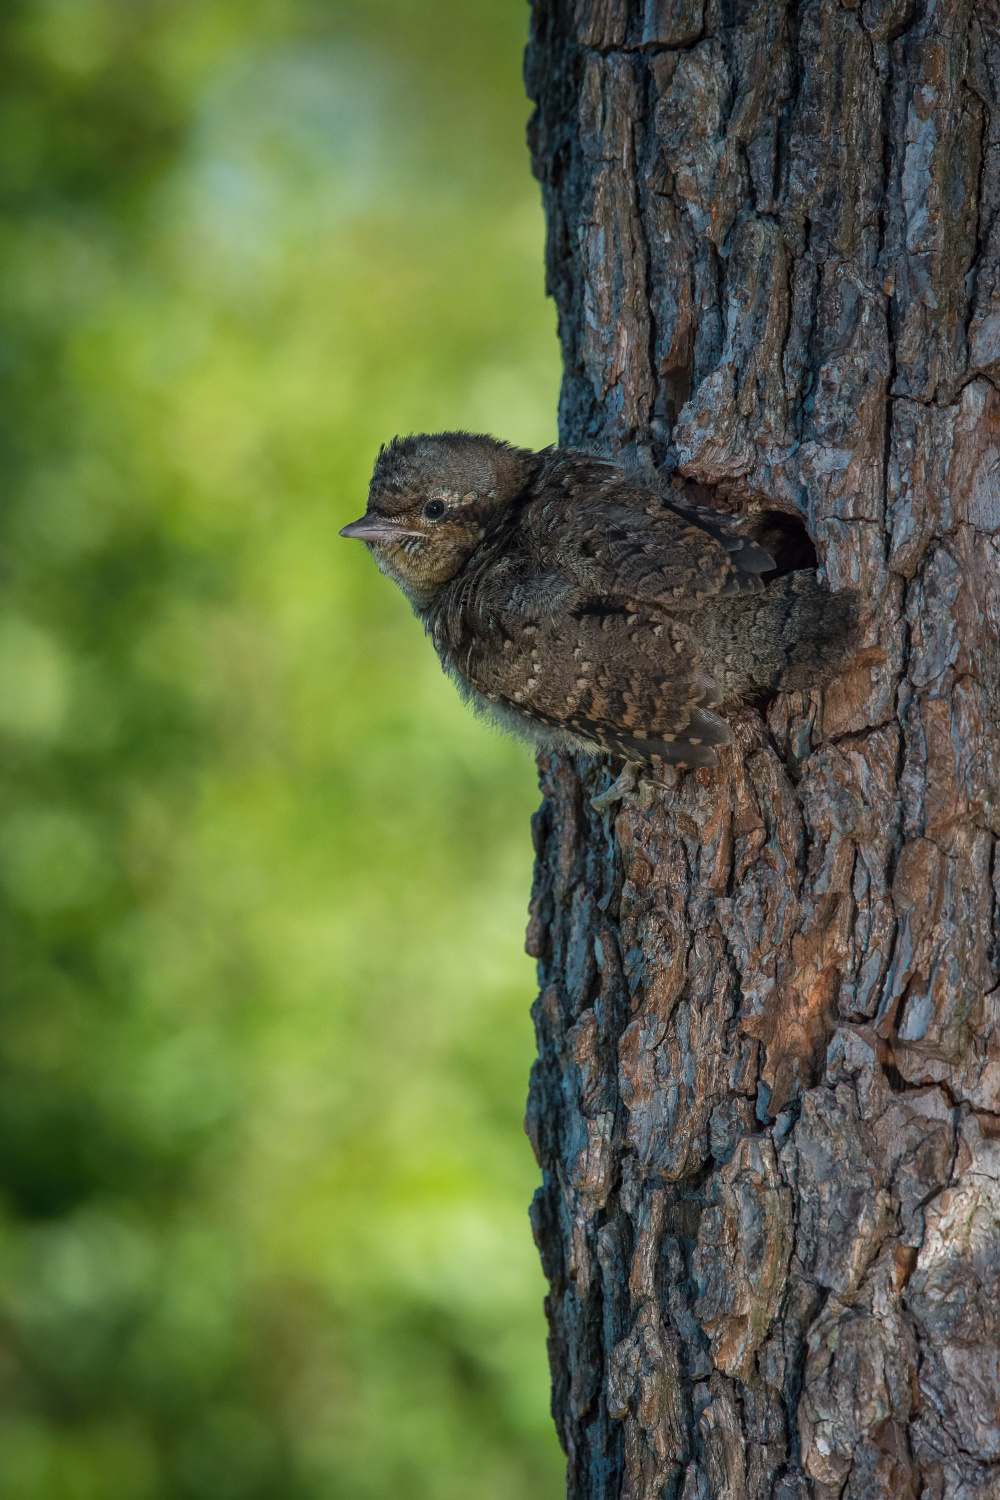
(434, 499)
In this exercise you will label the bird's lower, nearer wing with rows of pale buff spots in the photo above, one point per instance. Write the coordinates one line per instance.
(624, 683)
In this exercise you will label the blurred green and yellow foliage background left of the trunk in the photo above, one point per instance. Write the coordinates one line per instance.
(265, 1009)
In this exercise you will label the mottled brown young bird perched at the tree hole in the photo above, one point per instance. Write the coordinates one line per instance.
(593, 608)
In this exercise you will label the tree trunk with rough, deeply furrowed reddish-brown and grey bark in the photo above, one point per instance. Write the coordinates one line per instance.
(768, 1091)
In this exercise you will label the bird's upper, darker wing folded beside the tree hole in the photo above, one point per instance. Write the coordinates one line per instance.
(626, 542)
